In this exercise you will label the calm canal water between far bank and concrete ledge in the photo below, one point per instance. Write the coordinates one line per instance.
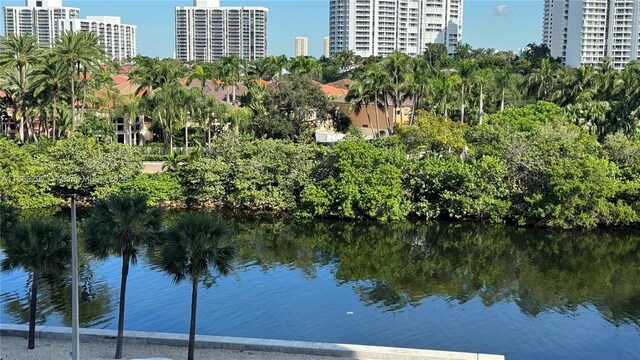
(525, 293)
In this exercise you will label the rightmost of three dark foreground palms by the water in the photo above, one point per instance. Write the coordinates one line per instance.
(195, 247)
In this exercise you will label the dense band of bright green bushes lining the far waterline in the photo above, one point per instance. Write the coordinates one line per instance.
(528, 169)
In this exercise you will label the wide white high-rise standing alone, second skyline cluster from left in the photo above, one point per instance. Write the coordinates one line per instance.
(206, 31)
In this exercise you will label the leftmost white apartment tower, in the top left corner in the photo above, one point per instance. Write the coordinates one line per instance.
(38, 18)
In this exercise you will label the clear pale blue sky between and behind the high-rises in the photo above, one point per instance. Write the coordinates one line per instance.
(503, 25)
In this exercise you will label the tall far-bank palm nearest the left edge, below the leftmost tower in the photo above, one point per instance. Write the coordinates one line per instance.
(20, 52)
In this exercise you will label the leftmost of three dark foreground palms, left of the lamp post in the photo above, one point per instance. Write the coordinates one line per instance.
(37, 246)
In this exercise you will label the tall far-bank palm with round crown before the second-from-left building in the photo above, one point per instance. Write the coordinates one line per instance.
(79, 52)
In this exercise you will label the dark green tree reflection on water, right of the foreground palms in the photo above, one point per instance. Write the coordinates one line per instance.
(395, 265)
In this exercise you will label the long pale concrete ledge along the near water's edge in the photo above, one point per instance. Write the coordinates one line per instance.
(247, 344)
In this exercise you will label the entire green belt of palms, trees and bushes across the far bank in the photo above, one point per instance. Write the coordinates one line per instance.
(491, 137)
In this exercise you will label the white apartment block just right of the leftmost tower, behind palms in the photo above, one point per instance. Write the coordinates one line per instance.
(119, 40)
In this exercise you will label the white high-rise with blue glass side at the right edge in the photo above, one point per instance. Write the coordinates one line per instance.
(584, 32)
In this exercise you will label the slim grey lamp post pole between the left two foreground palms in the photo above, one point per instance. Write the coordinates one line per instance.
(75, 338)
